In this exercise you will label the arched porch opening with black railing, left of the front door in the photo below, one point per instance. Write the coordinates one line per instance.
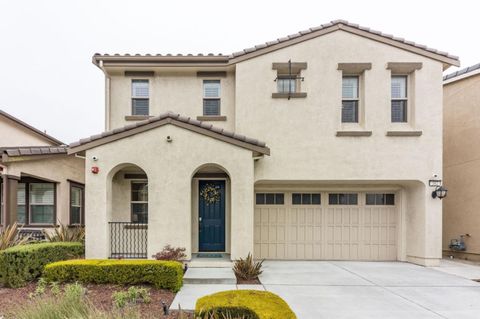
(128, 211)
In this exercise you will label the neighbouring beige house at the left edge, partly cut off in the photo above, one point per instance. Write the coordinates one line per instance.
(41, 184)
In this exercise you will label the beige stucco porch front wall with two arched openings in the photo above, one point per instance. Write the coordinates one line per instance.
(169, 168)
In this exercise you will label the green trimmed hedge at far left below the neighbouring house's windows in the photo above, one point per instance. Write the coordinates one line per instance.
(21, 264)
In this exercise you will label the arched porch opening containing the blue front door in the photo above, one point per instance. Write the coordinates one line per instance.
(210, 209)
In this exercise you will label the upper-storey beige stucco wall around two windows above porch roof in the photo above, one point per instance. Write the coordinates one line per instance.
(180, 92)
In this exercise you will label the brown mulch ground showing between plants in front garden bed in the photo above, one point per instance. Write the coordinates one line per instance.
(99, 295)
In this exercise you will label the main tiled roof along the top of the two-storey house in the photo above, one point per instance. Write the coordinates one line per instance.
(292, 39)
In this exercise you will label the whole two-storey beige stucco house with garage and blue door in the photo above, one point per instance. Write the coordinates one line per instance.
(353, 123)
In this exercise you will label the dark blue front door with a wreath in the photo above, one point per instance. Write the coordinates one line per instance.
(211, 211)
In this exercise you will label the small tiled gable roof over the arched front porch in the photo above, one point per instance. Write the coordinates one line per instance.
(176, 119)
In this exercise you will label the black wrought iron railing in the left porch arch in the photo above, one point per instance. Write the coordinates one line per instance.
(128, 240)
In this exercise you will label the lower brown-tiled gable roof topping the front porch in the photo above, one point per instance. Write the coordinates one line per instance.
(174, 119)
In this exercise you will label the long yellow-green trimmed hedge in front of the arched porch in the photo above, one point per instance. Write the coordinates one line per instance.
(161, 274)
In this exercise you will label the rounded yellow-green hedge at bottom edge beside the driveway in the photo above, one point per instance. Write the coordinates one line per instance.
(251, 303)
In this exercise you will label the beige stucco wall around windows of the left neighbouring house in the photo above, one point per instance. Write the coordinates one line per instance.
(58, 169)
